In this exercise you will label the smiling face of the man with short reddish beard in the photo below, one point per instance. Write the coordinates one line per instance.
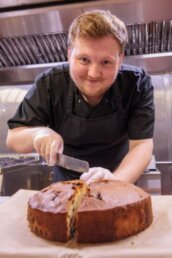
(94, 65)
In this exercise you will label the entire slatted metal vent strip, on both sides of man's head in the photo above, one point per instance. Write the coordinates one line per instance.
(147, 38)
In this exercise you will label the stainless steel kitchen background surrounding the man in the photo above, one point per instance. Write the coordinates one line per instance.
(33, 38)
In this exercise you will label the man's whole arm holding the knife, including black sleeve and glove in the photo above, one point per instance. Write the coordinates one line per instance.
(29, 129)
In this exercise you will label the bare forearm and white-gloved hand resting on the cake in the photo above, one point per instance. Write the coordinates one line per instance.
(130, 168)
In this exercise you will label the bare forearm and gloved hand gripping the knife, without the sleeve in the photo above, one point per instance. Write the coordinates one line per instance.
(43, 140)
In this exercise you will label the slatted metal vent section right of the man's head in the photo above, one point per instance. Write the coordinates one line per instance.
(149, 38)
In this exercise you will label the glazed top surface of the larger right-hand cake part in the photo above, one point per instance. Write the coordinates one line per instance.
(109, 194)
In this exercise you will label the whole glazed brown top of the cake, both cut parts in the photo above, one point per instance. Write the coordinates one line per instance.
(101, 195)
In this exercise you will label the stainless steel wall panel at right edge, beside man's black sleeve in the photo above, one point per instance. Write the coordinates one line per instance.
(163, 129)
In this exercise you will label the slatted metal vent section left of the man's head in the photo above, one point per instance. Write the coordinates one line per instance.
(33, 49)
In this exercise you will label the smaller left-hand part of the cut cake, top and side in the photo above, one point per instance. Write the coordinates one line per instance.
(52, 211)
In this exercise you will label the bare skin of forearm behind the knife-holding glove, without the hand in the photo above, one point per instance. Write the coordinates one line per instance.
(21, 139)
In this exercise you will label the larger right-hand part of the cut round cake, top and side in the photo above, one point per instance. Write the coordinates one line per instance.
(112, 210)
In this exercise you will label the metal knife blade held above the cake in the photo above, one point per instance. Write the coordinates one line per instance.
(71, 163)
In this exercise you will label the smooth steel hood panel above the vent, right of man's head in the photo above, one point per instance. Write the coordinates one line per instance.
(138, 11)
